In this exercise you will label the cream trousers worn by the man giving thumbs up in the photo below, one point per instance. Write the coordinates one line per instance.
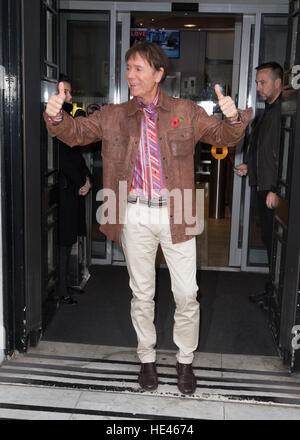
(145, 228)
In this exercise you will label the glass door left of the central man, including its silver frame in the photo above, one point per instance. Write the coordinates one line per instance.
(97, 73)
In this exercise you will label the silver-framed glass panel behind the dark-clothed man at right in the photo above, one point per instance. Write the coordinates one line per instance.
(264, 39)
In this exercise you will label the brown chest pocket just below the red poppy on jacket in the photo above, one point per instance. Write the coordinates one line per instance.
(182, 141)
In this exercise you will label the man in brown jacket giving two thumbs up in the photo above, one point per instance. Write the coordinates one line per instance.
(148, 146)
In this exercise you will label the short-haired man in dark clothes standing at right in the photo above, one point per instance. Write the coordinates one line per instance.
(261, 162)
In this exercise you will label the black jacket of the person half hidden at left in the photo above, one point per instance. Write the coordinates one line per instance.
(72, 176)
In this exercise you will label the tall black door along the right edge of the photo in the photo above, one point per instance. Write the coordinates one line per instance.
(284, 315)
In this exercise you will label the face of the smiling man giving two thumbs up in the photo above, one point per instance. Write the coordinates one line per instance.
(142, 79)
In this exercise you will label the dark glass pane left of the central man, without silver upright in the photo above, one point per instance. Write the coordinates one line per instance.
(87, 63)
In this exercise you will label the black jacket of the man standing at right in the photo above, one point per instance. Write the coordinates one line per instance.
(265, 176)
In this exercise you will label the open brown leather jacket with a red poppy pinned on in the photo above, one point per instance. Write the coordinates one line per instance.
(119, 125)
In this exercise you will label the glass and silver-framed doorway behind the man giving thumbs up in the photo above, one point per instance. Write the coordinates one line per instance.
(214, 48)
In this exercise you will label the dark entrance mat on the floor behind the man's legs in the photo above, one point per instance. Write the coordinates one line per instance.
(229, 322)
